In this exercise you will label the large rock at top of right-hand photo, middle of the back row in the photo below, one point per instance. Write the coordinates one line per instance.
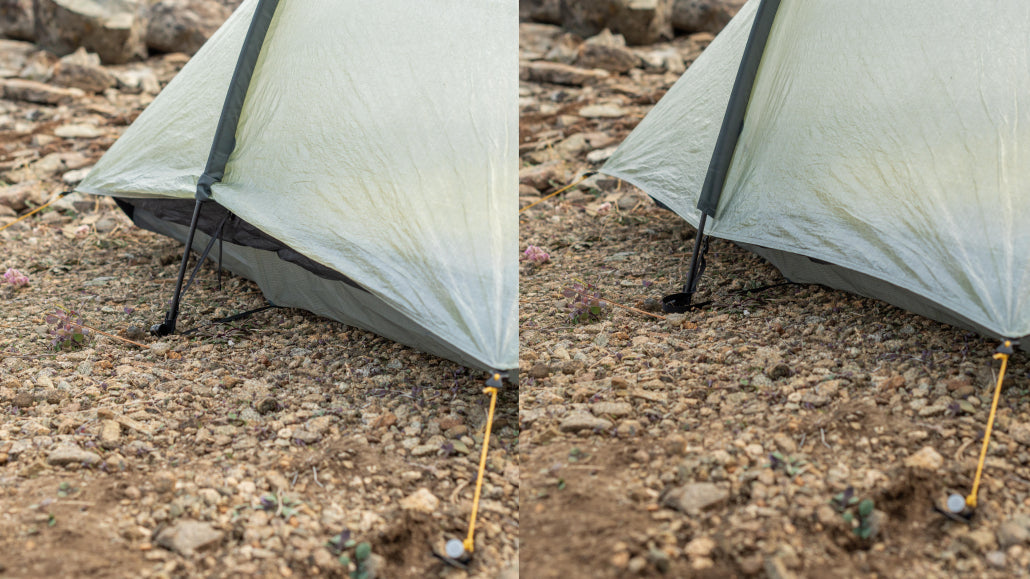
(641, 22)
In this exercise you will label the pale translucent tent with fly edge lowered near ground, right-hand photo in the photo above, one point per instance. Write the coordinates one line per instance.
(879, 148)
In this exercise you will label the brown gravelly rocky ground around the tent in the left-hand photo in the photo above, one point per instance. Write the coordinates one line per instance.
(272, 447)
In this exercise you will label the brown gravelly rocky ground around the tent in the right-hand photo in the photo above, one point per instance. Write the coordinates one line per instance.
(796, 432)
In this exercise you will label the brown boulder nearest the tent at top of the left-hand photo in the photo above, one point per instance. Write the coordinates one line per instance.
(183, 26)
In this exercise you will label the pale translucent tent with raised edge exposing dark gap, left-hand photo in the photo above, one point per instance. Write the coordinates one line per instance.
(357, 160)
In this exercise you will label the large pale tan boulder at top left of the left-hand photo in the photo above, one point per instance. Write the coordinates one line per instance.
(114, 29)
